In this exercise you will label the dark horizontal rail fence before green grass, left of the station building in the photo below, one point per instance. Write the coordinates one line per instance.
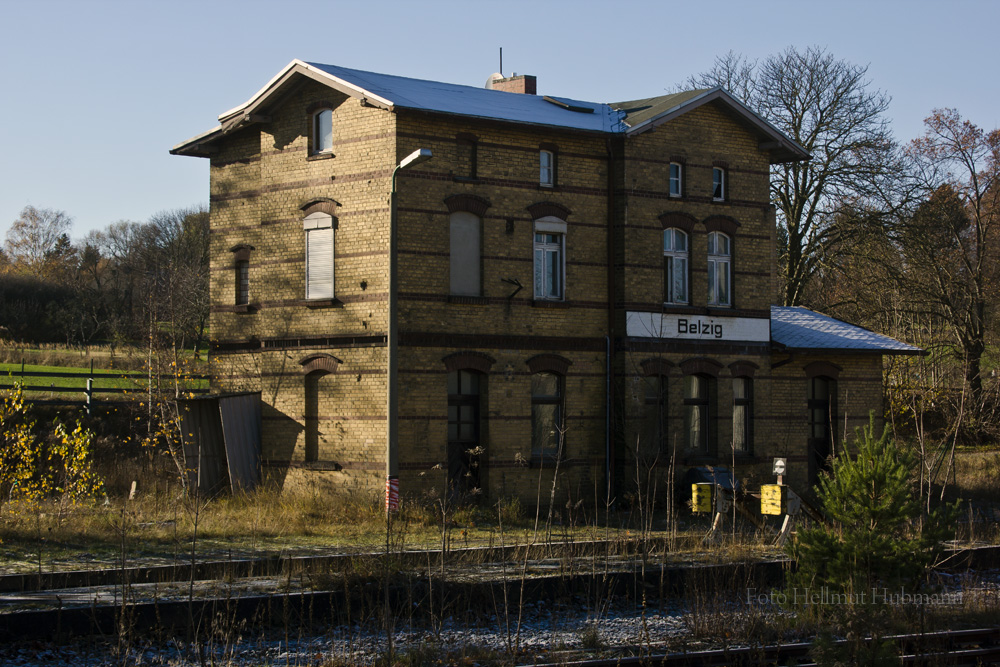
(88, 384)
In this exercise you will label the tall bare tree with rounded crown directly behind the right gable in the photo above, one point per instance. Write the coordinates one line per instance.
(829, 108)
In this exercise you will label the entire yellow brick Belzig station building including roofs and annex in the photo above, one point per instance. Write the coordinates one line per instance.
(577, 284)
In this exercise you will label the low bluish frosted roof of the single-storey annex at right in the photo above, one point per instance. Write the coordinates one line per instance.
(799, 328)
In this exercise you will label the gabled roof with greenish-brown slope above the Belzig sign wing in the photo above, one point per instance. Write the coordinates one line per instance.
(646, 114)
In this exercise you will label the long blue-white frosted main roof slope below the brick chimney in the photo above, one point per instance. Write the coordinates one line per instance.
(479, 102)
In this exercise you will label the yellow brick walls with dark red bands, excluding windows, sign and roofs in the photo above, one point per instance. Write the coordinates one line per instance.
(321, 366)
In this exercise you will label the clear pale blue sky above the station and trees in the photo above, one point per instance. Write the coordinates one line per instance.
(95, 92)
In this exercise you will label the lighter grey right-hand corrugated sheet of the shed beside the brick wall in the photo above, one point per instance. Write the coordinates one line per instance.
(240, 416)
